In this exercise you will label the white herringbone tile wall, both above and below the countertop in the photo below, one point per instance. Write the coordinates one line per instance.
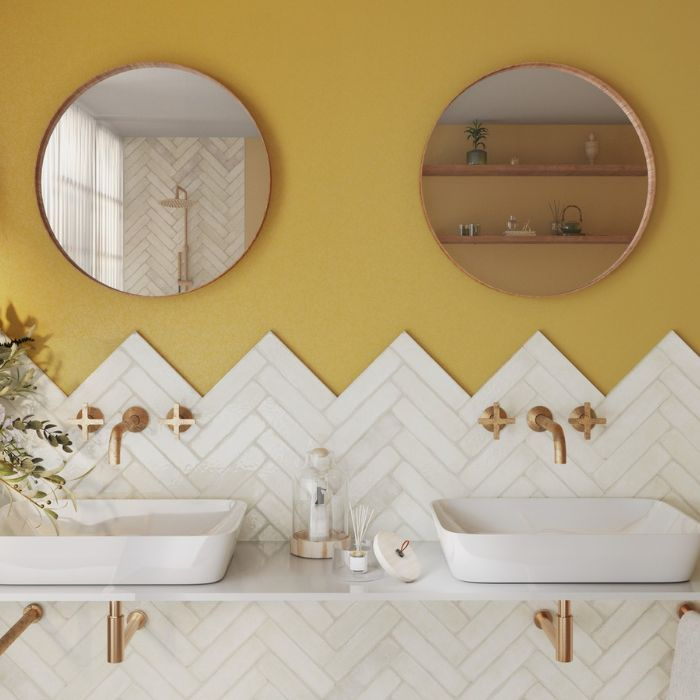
(406, 433)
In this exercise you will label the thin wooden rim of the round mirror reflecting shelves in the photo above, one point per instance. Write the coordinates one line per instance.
(648, 157)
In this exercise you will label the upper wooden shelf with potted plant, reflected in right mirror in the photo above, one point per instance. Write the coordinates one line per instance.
(555, 169)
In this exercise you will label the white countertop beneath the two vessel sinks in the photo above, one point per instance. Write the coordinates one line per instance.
(265, 571)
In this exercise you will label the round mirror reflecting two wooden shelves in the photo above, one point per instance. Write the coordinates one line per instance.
(538, 180)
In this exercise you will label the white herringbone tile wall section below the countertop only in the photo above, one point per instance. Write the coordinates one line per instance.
(475, 651)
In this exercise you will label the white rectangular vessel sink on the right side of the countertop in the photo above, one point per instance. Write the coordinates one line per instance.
(566, 540)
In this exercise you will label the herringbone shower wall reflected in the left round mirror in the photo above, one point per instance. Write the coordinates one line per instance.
(212, 170)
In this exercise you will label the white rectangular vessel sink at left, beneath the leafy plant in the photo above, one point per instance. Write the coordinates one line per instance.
(120, 542)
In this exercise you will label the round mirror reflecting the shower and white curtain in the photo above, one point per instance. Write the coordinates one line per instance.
(153, 179)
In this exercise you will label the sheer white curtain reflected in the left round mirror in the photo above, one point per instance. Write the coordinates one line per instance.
(81, 184)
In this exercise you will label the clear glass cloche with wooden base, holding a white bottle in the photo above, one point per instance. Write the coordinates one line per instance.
(320, 519)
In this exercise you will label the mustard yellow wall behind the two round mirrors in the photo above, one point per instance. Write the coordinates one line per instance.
(346, 95)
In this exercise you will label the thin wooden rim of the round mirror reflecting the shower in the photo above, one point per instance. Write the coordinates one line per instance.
(84, 88)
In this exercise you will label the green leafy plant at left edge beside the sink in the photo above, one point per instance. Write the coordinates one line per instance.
(23, 475)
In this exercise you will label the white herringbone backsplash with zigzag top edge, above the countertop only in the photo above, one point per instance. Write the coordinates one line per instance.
(404, 431)
